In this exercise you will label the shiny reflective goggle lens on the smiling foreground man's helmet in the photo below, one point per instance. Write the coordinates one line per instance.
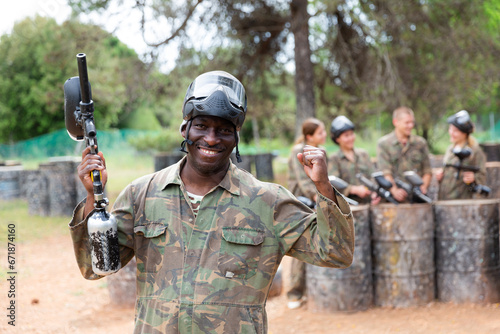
(206, 84)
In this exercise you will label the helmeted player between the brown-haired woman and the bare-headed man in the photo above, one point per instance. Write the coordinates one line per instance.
(348, 161)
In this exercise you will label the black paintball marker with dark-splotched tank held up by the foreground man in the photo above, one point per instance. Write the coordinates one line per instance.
(79, 119)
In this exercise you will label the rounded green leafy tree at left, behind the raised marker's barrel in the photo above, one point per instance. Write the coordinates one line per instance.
(37, 58)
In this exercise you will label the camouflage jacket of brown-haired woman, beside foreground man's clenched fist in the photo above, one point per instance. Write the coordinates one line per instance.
(298, 182)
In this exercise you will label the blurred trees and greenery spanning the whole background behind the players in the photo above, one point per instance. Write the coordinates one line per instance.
(296, 58)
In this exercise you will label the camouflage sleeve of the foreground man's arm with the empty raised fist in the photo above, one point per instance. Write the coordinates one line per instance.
(324, 238)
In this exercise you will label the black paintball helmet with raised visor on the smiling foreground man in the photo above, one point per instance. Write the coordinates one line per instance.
(216, 93)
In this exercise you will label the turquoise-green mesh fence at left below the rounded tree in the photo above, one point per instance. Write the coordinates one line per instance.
(59, 143)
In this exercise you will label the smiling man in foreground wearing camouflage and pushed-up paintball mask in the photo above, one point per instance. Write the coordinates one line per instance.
(208, 237)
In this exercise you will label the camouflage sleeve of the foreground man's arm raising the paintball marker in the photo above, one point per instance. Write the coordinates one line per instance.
(79, 234)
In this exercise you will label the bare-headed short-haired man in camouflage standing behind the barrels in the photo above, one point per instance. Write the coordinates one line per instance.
(401, 151)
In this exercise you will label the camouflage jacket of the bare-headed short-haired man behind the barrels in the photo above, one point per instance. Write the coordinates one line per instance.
(394, 159)
